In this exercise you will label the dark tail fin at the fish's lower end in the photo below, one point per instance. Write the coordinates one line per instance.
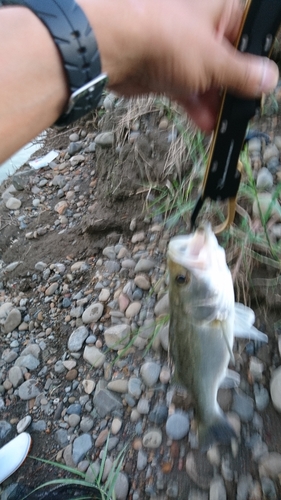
(220, 431)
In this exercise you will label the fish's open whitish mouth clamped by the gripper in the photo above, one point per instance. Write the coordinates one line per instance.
(191, 251)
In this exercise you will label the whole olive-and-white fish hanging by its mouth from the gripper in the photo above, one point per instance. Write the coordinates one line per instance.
(204, 319)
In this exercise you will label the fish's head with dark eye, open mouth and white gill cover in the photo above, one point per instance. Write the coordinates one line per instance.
(197, 262)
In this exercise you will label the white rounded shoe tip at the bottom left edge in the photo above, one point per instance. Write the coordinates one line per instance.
(13, 454)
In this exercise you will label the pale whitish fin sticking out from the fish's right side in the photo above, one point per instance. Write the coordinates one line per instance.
(243, 324)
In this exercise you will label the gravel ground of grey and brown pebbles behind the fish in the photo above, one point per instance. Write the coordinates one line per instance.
(76, 287)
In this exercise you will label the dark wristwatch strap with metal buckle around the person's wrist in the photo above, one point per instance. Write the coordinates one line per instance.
(75, 40)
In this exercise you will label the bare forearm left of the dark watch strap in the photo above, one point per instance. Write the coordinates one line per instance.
(33, 86)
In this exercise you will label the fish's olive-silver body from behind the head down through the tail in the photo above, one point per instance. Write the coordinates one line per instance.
(201, 358)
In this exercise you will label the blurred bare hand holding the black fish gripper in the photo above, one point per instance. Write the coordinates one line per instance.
(182, 48)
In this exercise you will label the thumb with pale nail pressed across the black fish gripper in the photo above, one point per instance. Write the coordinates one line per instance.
(246, 74)
